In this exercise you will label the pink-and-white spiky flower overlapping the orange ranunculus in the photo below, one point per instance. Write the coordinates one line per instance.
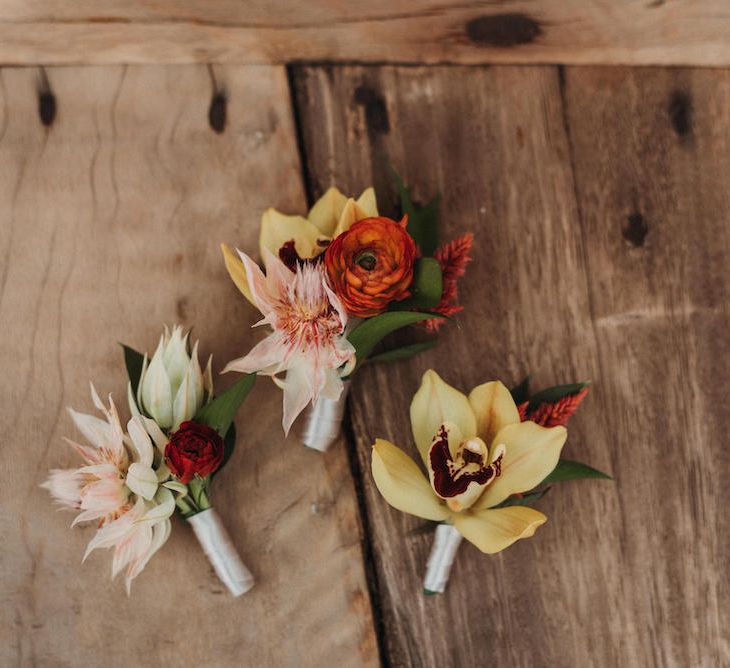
(307, 342)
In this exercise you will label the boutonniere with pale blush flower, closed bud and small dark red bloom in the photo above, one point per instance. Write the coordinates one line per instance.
(132, 480)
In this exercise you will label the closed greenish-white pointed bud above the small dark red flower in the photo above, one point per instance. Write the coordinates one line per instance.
(172, 387)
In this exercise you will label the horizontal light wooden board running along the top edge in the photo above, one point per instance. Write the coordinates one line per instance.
(427, 31)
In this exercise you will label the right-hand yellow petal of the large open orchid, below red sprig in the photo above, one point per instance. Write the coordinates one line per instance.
(531, 453)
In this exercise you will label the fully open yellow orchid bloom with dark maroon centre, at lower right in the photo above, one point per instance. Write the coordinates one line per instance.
(477, 453)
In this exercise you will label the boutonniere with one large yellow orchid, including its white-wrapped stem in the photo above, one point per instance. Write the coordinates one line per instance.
(488, 457)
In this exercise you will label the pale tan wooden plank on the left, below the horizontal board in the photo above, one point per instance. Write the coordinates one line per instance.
(112, 216)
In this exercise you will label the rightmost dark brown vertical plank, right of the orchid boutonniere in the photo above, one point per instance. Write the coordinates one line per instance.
(652, 166)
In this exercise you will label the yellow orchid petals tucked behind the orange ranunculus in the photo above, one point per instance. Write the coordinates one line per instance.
(331, 215)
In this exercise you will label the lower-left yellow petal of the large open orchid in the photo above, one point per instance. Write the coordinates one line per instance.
(402, 483)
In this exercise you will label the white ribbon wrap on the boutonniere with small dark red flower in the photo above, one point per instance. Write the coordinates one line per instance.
(218, 547)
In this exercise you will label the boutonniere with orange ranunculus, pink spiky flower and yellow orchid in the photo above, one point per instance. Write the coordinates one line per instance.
(334, 284)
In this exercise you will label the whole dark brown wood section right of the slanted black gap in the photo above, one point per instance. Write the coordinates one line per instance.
(599, 200)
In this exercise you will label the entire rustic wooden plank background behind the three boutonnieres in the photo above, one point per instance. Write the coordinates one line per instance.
(599, 197)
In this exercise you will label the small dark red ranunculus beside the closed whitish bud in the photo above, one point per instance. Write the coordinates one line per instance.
(194, 448)
